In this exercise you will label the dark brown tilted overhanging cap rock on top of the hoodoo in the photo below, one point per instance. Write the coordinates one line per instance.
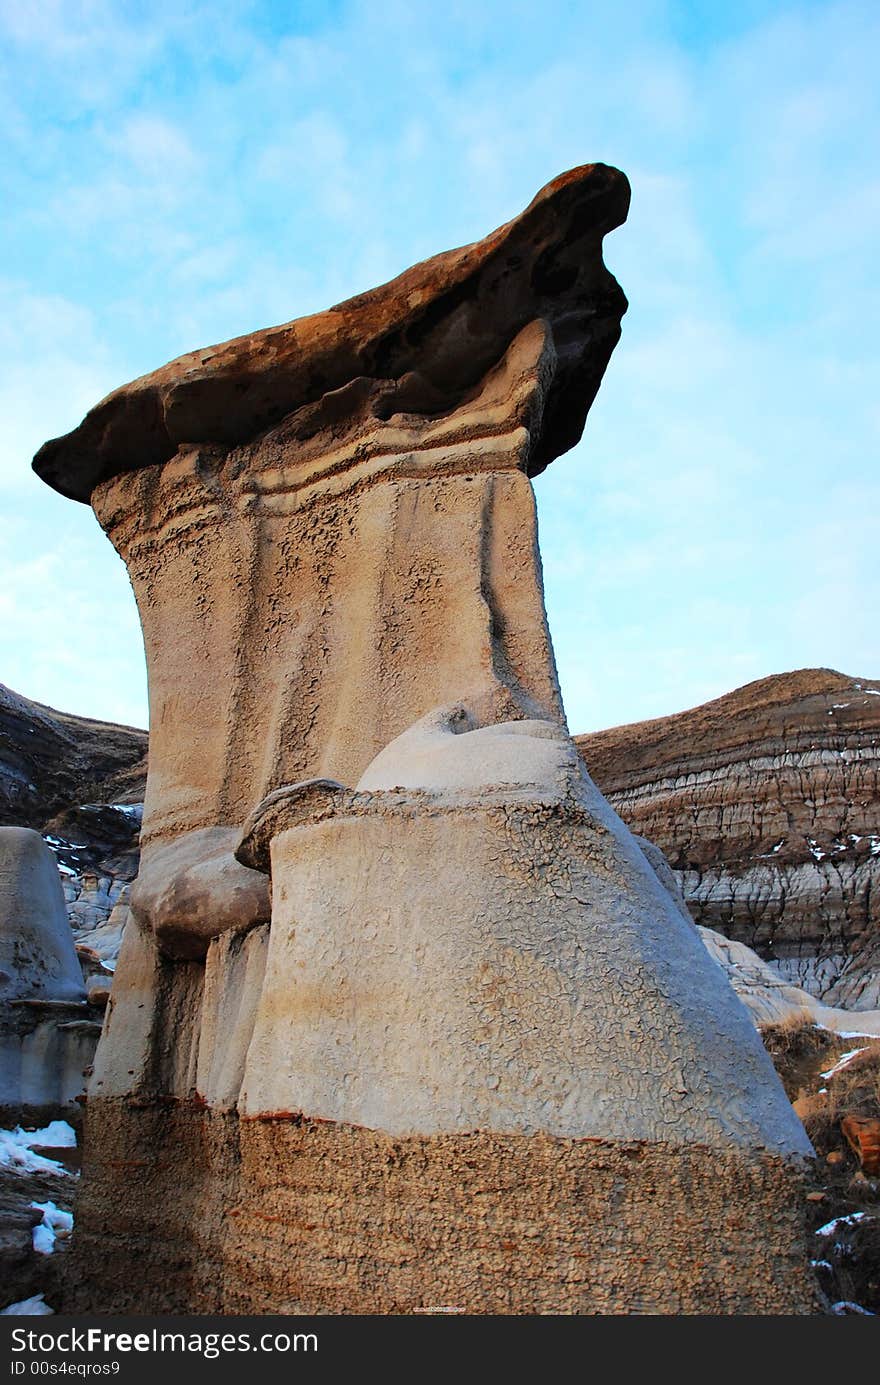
(434, 333)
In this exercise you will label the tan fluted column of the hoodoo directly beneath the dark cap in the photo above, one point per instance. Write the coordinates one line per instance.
(331, 621)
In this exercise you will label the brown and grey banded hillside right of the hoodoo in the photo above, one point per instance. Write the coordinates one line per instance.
(767, 804)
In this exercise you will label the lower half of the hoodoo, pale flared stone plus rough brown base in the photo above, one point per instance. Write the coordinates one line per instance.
(483, 1026)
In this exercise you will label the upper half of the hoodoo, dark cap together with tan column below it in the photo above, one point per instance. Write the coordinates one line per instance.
(329, 526)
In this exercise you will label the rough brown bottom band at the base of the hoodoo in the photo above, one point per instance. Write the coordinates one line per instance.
(224, 1215)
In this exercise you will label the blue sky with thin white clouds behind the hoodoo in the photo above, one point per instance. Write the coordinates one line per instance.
(175, 175)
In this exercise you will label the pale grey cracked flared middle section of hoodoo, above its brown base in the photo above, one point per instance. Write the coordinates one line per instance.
(497, 960)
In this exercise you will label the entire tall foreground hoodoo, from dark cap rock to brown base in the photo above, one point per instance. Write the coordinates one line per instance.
(461, 1057)
